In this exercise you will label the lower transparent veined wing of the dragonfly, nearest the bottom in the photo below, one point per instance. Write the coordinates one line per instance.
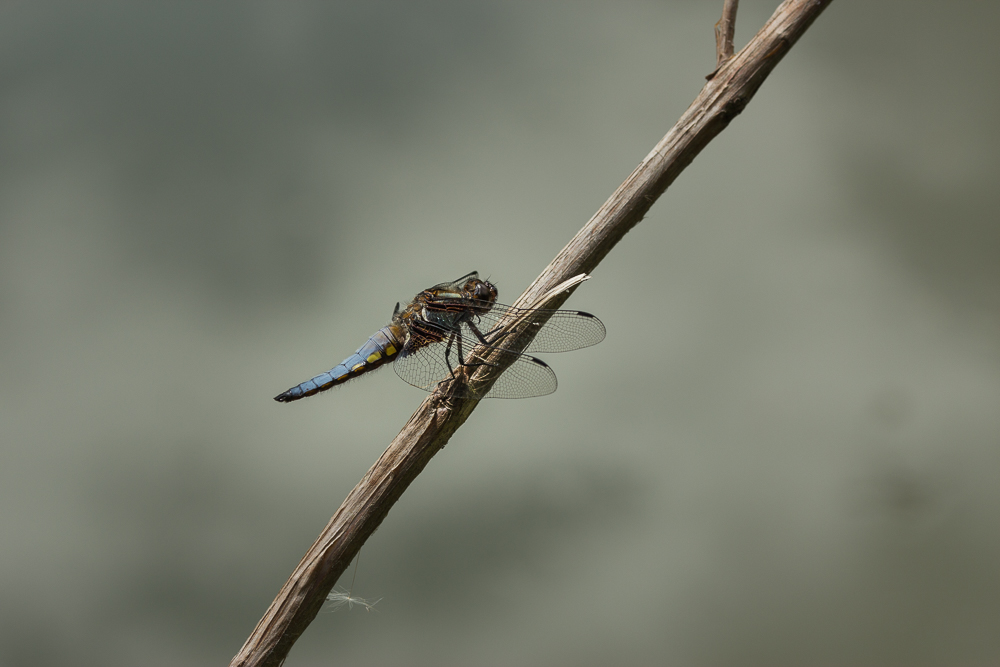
(428, 362)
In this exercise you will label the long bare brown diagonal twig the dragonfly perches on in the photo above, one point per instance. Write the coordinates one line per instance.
(440, 415)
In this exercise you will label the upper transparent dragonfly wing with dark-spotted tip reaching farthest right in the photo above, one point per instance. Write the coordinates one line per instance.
(558, 330)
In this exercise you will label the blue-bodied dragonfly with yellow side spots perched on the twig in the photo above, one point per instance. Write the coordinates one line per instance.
(433, 336)
